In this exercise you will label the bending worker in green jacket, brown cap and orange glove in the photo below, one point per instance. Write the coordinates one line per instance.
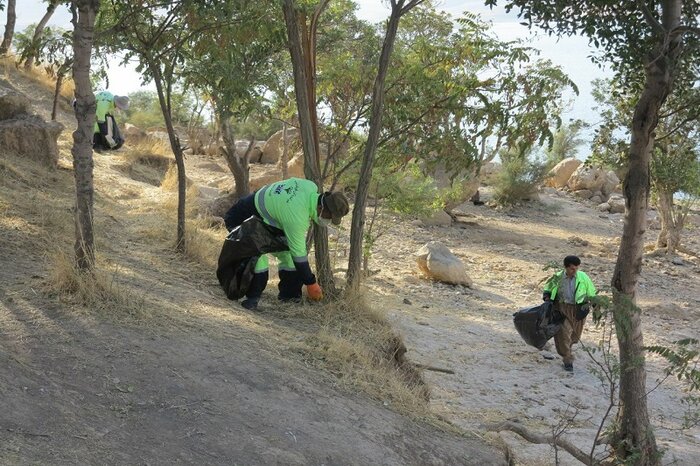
(289, 206)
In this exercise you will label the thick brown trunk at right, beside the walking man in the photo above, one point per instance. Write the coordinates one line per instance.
(635, 436)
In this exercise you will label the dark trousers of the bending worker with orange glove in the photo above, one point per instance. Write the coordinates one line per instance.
(290, 281)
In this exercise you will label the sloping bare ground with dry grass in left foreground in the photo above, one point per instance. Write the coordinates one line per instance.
(161, 368)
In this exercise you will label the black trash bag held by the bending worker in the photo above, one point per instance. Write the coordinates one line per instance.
(241, 250)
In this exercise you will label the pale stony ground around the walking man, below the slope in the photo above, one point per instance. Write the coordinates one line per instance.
(497, 377)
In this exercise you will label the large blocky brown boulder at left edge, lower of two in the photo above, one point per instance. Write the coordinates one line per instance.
(32, 138)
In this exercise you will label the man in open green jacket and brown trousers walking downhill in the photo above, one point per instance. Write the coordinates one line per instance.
(571, 291)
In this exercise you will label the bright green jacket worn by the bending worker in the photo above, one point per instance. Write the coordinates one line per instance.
(290, 205)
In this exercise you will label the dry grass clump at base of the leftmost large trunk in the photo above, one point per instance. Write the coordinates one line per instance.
(96, 290)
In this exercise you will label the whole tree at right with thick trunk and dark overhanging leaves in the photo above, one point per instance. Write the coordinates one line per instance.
(647, 40)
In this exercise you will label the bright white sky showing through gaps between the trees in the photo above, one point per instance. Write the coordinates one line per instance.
(571, 53)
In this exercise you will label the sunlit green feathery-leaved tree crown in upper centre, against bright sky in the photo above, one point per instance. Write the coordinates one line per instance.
(457, 98)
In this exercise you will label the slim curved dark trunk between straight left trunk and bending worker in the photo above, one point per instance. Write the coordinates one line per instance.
(177, 151)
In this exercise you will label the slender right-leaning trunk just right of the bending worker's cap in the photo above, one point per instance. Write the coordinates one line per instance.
(358, 213)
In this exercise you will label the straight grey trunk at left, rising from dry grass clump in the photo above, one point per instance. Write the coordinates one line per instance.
(84, 13)
